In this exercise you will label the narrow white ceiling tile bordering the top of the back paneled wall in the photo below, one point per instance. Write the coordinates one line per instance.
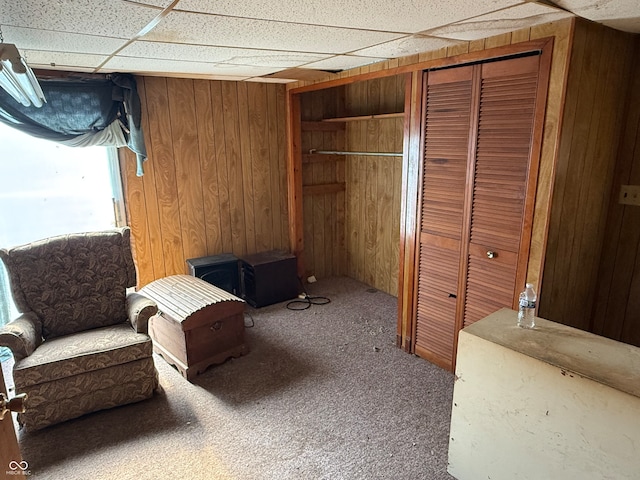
(152, 65)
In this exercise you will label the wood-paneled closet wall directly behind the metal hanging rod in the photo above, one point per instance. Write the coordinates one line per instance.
(374, 184)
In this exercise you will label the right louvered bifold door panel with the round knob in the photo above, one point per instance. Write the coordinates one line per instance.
(505, 133)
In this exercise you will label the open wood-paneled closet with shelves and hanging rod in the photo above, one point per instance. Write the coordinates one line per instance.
(351, 145)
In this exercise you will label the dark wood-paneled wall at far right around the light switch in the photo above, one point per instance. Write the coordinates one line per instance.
(617, 309)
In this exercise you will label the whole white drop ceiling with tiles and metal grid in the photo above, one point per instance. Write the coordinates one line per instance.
(263, 40)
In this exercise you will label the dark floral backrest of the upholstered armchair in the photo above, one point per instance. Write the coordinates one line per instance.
(73, 282)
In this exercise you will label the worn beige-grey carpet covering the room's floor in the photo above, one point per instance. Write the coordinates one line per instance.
(323, 394)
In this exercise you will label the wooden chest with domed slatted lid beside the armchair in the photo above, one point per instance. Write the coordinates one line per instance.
(198, 324)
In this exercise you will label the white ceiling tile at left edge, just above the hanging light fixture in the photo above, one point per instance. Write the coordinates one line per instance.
(48, 40)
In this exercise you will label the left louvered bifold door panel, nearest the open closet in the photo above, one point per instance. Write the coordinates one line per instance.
(446, 142)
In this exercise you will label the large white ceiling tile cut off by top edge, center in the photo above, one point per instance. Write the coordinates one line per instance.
(407, 16)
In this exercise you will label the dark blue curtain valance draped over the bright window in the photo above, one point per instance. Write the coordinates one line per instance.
(83, 111)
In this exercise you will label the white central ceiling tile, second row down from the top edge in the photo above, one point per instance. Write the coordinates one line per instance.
(238, 32)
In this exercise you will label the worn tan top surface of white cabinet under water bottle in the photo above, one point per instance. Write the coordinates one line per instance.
(601, 359)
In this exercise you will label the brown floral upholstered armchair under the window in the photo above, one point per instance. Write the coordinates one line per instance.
(81, 343)
